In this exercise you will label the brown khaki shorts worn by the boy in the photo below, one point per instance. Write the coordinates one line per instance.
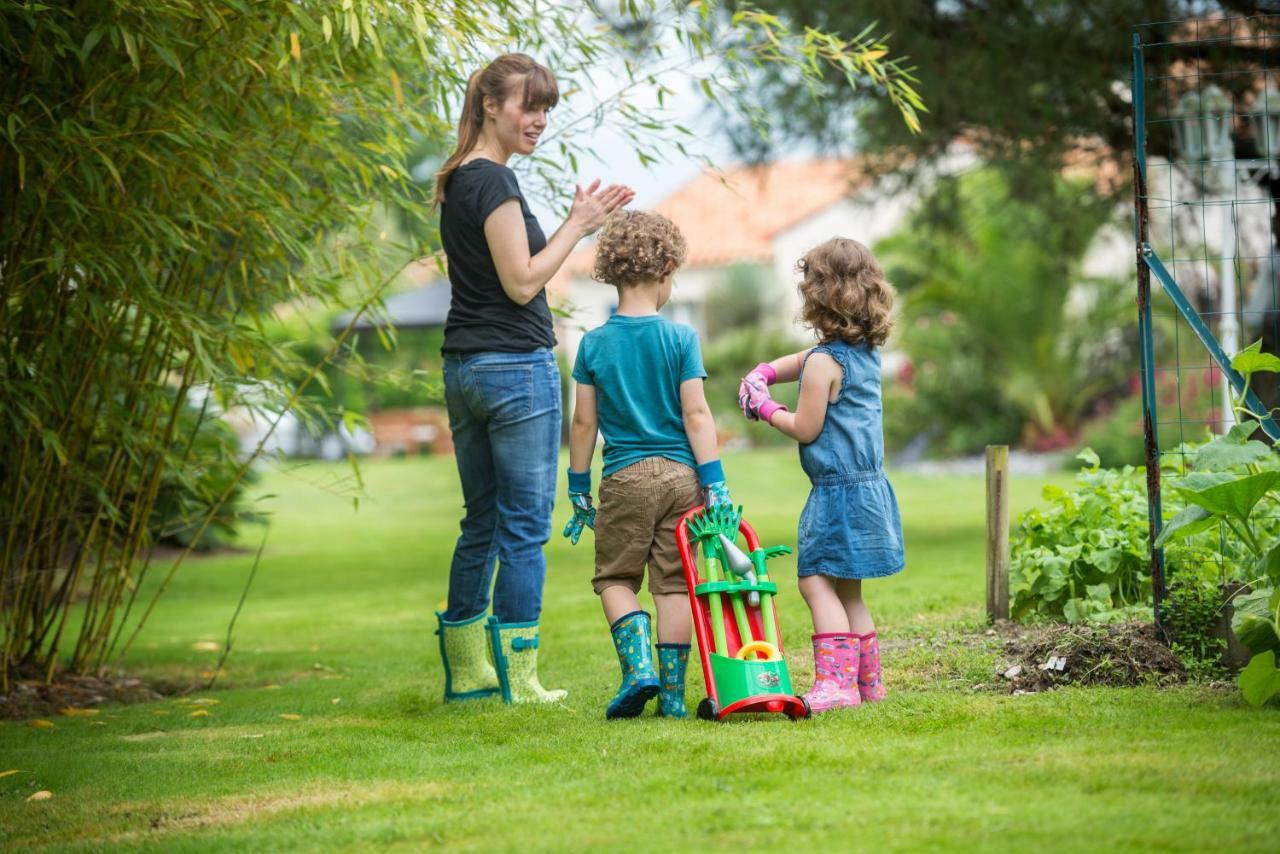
(641, 508)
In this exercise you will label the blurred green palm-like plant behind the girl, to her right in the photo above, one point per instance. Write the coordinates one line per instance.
(998, 308)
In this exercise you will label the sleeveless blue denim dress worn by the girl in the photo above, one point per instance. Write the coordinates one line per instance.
(851, 527)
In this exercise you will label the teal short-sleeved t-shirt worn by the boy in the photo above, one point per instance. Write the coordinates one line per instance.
(637, 367)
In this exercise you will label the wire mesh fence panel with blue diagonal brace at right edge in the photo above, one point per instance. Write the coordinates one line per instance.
(1206, 99)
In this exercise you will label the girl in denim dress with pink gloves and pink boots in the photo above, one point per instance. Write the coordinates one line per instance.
(851, 527)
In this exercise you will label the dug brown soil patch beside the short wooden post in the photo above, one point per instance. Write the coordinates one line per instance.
(1123, 655)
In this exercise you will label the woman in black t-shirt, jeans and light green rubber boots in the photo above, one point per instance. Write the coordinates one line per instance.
(501, 381)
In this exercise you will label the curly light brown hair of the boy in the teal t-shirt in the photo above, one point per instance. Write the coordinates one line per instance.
(637, 246)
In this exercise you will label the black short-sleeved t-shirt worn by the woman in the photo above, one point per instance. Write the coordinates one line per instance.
(482, 316)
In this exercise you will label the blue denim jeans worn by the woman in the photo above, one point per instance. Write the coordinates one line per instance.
(505, 412)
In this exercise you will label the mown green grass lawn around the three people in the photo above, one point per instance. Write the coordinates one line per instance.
(339, 631)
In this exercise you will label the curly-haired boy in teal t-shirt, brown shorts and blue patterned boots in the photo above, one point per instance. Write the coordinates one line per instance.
(641, 383)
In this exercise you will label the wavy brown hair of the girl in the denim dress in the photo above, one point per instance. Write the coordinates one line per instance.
(845, 294)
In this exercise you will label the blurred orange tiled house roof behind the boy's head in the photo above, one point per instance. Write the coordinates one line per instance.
(733, 217)
